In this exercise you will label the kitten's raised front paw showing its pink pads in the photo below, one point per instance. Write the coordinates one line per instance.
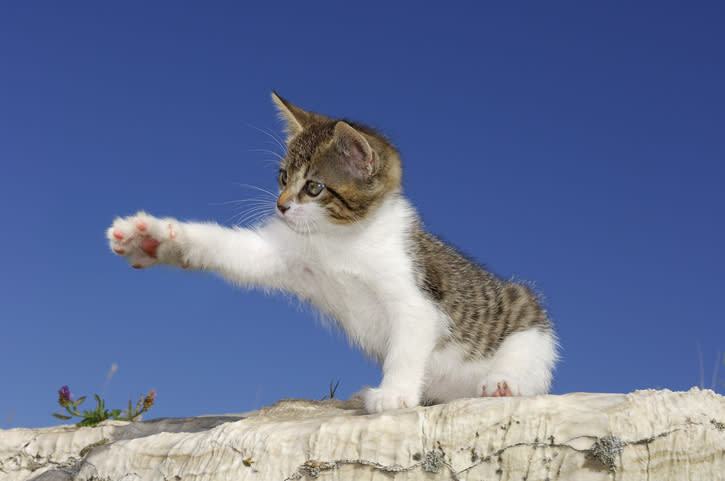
(145, 240)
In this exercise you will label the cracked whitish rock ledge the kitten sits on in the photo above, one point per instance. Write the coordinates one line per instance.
(658, 435)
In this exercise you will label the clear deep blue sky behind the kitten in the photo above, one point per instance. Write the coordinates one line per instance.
(575, 145)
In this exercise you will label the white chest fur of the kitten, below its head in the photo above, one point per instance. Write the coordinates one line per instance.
(355, 274)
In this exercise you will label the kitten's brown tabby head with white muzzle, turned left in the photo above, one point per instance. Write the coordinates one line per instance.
(334, 171)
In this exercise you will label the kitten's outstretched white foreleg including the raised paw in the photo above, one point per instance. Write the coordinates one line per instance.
(241, 255)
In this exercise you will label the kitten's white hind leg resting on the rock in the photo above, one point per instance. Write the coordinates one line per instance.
(522, 366)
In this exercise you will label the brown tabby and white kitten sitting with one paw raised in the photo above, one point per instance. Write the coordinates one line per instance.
(345, 239)
